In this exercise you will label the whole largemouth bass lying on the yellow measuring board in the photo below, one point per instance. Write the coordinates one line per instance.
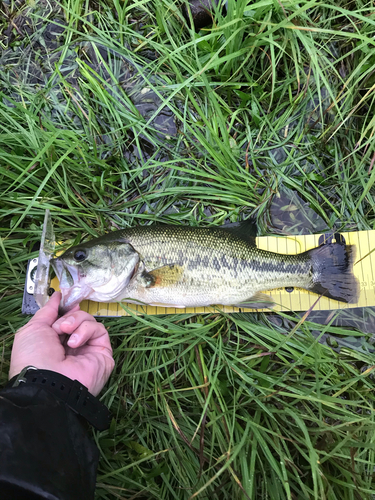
(182, 266)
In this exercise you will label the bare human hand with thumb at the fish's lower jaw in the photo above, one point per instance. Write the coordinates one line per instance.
(87, 357)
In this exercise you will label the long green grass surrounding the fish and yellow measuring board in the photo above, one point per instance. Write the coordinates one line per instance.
(114, 114)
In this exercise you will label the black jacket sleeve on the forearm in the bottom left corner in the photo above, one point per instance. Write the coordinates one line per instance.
(45, 451)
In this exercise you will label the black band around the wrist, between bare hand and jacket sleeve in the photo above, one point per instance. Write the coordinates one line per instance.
(71, 392)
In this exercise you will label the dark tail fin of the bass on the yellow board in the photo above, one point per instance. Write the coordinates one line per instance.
(332, 272)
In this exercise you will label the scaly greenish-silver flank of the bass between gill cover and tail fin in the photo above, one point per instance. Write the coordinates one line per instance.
(218, 267)
